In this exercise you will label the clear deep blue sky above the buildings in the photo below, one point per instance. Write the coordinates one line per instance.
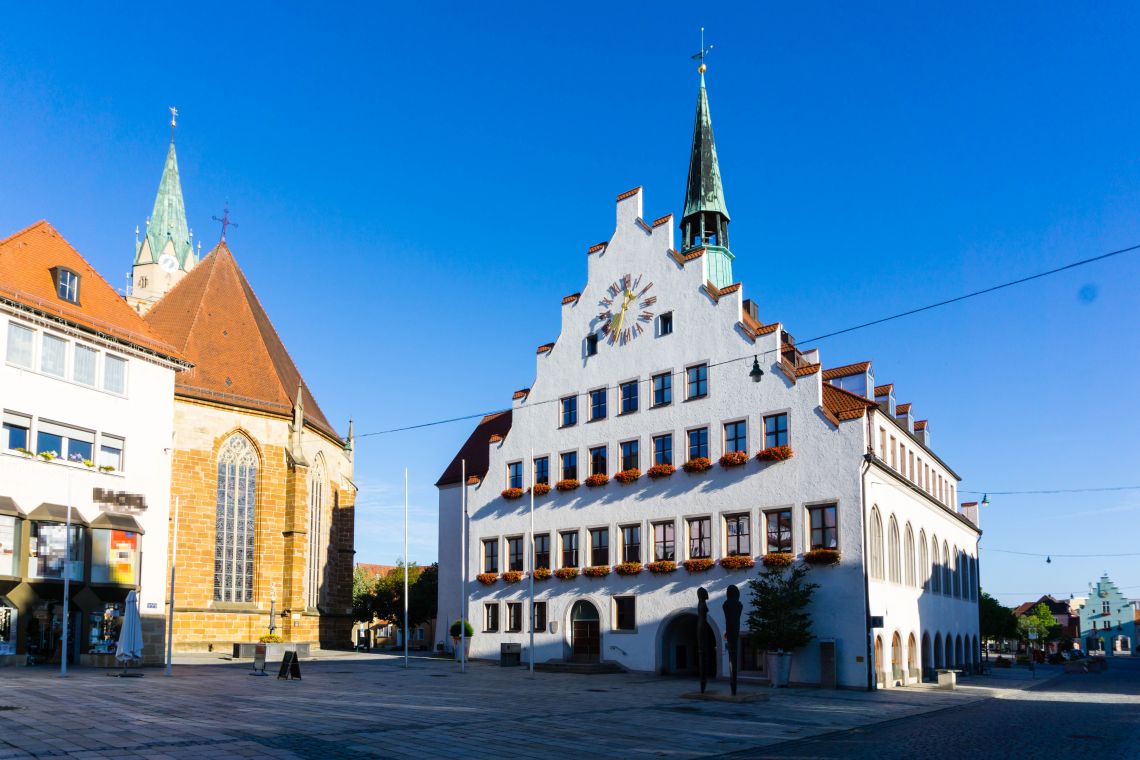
(417, 184)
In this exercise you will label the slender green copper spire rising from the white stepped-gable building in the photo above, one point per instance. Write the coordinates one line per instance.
(705, 224)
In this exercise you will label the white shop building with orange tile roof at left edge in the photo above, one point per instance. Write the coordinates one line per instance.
(88, 395)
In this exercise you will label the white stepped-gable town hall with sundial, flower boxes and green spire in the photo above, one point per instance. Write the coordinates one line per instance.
(650, 374)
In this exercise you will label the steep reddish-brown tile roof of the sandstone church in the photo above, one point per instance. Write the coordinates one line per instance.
(215, 318)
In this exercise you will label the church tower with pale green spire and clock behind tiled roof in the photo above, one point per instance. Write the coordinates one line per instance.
(166, 254)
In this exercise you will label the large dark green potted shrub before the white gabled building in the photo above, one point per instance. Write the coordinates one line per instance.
(779, 622)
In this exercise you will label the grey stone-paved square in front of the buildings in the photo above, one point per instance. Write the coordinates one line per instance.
(370, 706)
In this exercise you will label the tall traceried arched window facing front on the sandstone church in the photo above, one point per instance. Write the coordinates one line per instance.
(235, 520)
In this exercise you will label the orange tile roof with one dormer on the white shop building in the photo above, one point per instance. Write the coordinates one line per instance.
(27, 260)
